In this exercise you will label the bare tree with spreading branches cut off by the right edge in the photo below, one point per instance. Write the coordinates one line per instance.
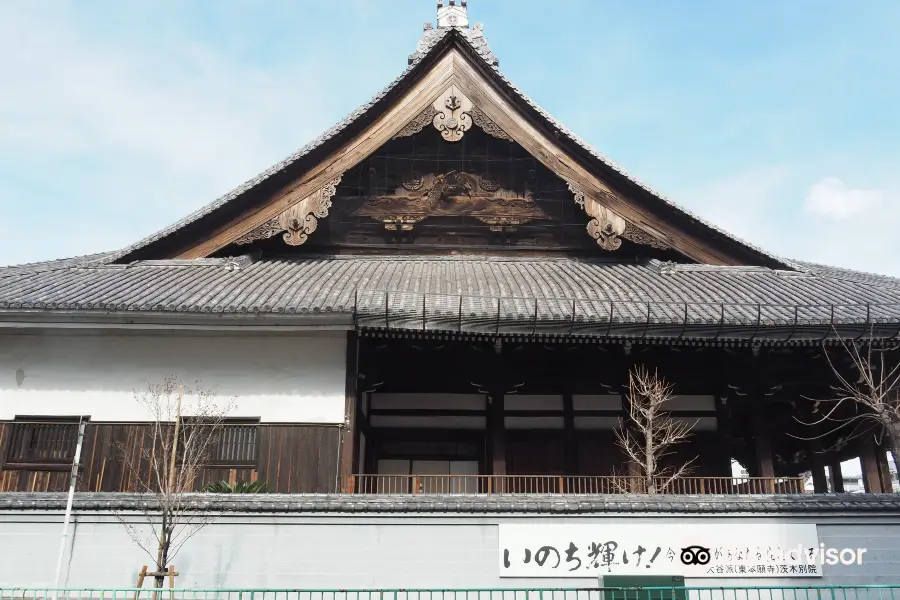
(866, 400)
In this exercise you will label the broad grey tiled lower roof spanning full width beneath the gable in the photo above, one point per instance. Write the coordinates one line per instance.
(566, 295)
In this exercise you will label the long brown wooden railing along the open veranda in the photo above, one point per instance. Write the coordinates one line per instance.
(562, 484)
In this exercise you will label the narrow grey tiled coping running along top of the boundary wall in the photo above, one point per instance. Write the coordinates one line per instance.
(515, 504)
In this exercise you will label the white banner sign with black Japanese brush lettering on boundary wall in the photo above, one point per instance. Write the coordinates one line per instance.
(593, 550)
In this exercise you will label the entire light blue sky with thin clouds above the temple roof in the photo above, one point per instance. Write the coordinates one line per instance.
(776, 120)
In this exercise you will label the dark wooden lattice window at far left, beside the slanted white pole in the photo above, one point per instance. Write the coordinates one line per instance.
(42, 443)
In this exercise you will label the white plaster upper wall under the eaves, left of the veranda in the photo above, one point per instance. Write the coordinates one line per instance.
(287, 379)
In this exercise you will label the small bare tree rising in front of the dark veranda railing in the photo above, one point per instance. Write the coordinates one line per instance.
(649, 433)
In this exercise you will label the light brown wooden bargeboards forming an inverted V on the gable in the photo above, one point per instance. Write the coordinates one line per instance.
(455, 70)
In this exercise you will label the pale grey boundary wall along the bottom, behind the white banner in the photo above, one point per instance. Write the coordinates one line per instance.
(321, 551)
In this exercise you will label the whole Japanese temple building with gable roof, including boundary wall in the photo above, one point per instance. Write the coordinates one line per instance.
(431, 312)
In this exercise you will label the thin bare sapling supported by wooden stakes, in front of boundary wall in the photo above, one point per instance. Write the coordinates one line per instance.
(167, 464)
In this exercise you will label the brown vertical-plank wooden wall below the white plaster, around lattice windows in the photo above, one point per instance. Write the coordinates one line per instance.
(292, 459)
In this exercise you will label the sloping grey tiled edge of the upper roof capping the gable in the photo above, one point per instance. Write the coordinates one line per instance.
(474, 37)
